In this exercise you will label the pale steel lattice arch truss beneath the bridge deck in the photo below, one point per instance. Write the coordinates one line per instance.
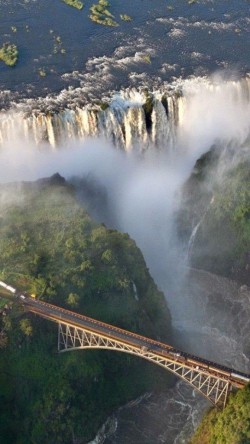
(214, 388)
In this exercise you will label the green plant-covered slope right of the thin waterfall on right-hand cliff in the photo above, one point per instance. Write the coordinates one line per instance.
(222, 242)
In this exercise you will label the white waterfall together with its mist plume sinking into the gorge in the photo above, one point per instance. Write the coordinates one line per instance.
(181, 124)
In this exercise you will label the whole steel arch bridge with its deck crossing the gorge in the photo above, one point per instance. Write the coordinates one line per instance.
(76, 331)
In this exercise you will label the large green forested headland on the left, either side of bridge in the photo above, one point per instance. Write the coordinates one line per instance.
(51, 247)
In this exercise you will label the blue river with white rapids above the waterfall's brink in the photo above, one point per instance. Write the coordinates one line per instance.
(165, 40)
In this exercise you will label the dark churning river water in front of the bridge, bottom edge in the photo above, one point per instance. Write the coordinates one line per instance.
(169, 417)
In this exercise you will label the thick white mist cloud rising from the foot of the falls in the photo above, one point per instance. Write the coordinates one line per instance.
(143, 191)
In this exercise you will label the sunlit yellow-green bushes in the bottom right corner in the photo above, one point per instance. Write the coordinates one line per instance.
(230, 426)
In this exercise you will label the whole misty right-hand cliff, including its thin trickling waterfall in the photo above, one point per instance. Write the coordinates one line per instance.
(216, 206)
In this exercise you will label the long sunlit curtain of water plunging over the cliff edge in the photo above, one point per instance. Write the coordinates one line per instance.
(131, 119)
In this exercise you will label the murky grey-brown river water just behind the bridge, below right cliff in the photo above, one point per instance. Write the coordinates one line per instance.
(216, 318)
